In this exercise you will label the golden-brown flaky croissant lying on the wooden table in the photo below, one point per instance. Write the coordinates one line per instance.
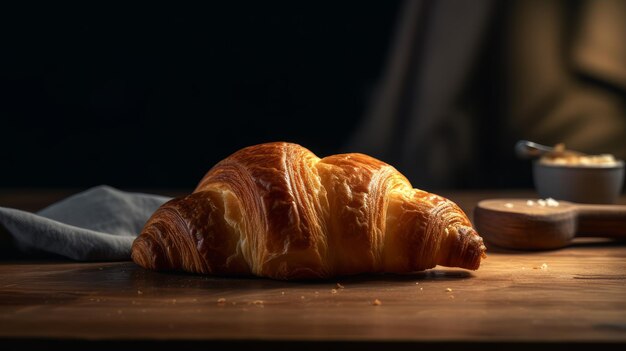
(276, 210)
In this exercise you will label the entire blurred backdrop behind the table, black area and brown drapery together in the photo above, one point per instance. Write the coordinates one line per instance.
(154, 95)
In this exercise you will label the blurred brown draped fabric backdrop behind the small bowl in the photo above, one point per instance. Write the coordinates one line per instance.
(464, 80)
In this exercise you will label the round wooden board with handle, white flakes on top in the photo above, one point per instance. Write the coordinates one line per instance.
(515, 224)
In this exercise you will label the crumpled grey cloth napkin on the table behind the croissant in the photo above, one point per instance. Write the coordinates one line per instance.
(98, 224)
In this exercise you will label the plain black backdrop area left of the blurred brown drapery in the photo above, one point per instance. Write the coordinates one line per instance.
(153, 95)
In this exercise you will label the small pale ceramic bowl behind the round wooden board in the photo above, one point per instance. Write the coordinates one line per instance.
(583, 184)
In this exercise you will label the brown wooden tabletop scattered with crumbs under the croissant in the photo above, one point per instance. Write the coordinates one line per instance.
(570, 297)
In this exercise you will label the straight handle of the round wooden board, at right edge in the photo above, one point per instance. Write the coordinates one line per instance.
(601, 221)
